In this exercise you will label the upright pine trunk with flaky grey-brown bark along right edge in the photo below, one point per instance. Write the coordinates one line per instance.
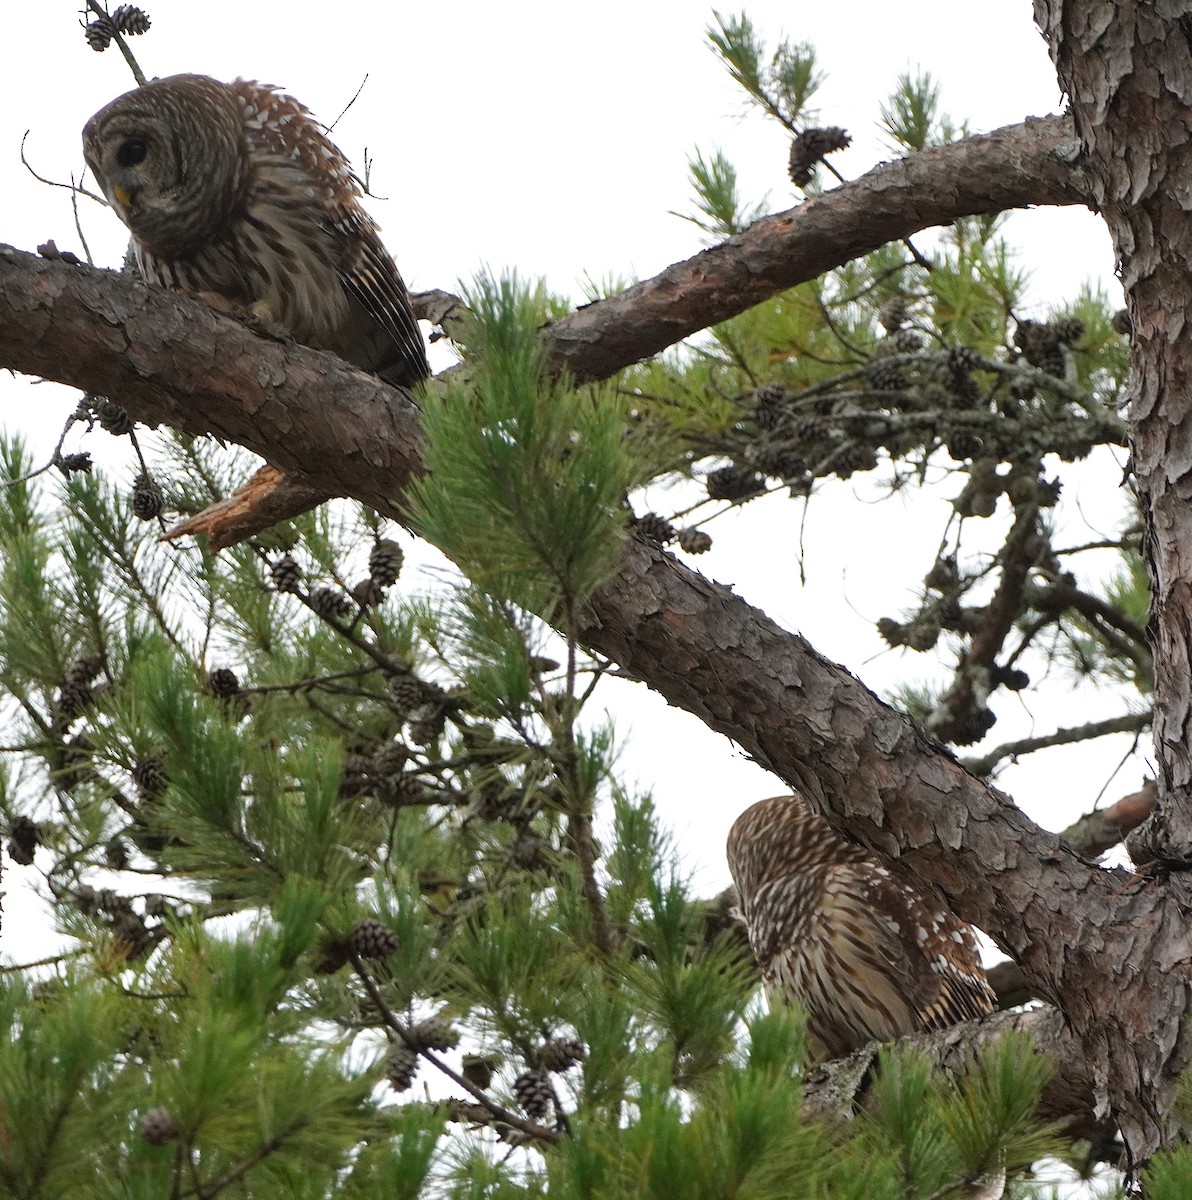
(1128, 69)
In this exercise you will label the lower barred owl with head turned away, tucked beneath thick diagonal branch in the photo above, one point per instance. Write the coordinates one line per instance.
(867, 952)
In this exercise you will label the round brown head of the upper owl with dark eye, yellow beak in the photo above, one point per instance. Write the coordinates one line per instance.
(169, 158)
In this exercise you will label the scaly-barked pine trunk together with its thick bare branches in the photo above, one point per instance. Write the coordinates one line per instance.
(1112, 951)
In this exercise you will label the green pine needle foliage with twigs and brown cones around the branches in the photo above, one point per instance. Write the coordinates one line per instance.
(354, 901)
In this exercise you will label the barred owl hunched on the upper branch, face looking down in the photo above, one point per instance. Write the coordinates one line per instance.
(235, 190)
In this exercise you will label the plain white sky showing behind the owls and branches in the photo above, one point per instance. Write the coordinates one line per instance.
(555, 139)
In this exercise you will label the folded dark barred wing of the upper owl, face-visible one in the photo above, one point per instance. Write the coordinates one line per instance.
(372, 280)
